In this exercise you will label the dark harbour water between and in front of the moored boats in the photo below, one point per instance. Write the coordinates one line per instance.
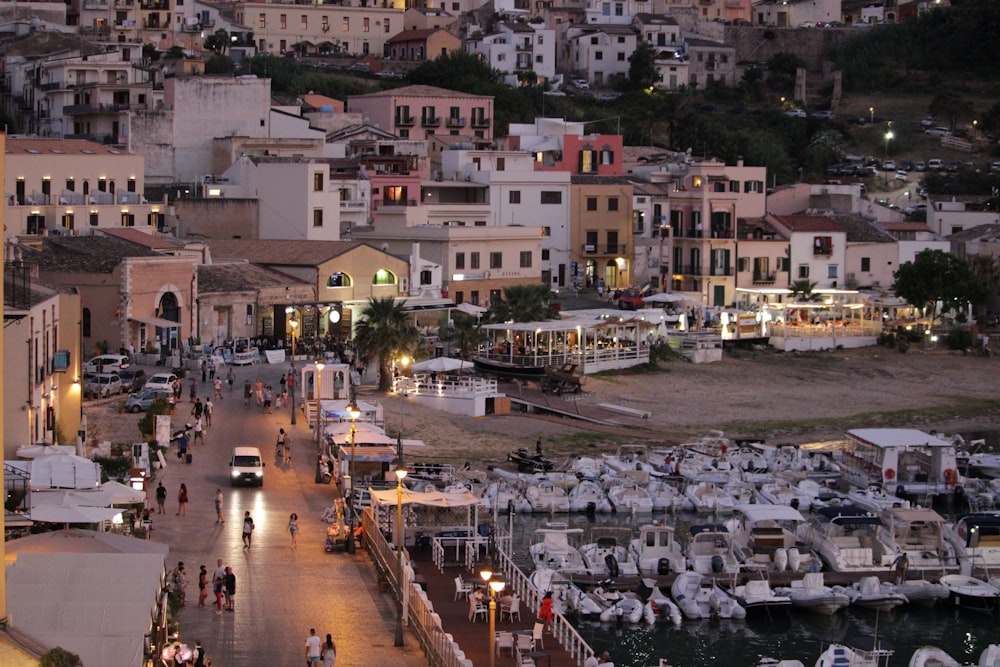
(791, 635)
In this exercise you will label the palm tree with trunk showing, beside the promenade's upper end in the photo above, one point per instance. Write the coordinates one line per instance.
(384, 330)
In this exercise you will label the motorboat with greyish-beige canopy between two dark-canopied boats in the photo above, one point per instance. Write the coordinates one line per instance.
(918, 533)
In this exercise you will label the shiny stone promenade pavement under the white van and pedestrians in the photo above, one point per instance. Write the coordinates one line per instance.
(281, 591)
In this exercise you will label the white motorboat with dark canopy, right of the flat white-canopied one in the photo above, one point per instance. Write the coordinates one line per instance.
(846, 539)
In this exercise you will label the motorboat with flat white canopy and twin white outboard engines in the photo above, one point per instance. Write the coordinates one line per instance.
(766, 536)
